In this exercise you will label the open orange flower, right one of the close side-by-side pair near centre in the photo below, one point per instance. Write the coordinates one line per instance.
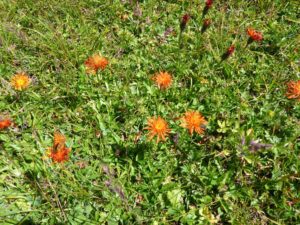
(193, 121)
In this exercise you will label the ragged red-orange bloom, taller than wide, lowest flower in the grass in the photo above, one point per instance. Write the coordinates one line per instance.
(59, 152)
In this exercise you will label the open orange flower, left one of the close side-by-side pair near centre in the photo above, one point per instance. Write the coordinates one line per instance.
(157, 127)
